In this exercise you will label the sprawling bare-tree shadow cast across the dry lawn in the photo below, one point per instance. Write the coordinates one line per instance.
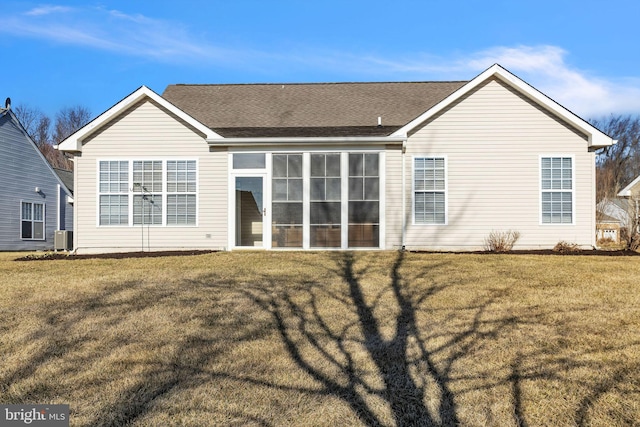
(385, 348)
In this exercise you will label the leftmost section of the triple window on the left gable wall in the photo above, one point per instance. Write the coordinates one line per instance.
(114, 193)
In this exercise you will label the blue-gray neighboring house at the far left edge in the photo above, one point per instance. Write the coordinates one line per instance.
(36, 202)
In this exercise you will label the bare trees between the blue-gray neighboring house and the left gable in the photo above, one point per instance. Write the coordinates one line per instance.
(38, 126)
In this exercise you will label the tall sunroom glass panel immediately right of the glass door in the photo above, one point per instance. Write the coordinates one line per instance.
(287, 200)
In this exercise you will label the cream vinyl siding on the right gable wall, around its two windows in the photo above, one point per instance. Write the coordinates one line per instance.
(494, 139)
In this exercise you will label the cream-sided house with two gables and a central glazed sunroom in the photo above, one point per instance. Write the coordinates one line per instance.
(415, 165)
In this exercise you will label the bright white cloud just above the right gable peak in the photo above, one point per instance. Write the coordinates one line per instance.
(544, 67)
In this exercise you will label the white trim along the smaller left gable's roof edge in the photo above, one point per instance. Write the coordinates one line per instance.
(73, 143)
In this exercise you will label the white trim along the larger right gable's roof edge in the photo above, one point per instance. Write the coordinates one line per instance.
(596, 138)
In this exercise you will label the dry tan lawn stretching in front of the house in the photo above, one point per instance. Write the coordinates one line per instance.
(325, 339)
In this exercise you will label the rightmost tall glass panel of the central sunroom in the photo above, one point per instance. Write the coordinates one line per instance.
(364, 200)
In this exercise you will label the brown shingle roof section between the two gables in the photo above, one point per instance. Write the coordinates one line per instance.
(314, 109)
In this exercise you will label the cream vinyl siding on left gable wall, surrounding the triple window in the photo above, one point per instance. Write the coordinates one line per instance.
(148, 132)
